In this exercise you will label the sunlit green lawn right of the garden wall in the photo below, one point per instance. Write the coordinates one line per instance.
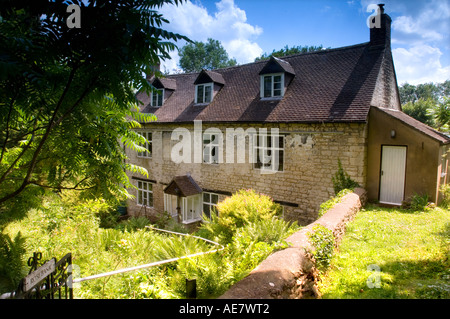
(392, 253)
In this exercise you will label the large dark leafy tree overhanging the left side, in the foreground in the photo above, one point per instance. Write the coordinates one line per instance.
(67, 95)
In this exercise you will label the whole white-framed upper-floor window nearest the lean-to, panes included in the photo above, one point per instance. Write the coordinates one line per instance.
(269, 152)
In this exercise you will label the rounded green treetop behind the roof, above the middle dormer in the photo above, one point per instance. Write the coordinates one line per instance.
(210, 55)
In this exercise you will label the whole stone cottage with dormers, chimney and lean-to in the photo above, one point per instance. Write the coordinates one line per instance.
(279, 127)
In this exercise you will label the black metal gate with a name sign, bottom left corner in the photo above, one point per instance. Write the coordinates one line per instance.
(49, 279)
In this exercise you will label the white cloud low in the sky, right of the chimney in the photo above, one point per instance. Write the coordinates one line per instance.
(419, 64)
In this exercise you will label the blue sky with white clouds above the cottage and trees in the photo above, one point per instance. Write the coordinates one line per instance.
(248, 28)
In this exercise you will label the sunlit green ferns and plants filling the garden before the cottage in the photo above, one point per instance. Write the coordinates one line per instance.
(65, 223)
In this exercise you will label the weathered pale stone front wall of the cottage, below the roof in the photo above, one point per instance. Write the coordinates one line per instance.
(311, 154)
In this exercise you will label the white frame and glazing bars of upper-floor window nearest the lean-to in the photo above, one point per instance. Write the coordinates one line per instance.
(259, 147)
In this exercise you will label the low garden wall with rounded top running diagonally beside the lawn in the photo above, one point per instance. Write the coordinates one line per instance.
(289, 273)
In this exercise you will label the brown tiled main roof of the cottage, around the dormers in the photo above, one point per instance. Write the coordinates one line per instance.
(334, 85)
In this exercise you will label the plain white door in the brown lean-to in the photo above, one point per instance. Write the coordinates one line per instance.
(393, 169)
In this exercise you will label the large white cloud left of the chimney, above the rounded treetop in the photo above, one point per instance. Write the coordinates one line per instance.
(228, 25)
